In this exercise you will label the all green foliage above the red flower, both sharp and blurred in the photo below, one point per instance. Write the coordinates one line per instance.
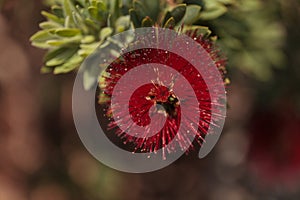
(247, 29)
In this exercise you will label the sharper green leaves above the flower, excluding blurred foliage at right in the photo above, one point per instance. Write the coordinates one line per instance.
(75, 28)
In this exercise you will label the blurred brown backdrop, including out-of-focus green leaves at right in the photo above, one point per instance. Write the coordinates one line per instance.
(257, 156)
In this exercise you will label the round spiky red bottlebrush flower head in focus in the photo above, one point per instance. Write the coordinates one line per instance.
(159, 97)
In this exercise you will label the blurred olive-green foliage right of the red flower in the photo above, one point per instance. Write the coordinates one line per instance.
(251, 35)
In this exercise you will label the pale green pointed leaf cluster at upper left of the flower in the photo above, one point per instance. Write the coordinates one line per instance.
(74, 28)
